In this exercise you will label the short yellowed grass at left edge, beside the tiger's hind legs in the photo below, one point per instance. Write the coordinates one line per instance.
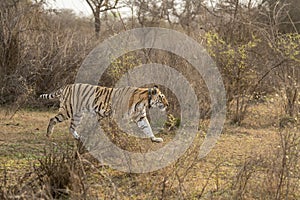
(23, 140)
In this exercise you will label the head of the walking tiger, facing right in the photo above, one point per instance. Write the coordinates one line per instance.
(156, 99)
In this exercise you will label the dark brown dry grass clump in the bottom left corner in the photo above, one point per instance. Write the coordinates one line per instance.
(58, 174)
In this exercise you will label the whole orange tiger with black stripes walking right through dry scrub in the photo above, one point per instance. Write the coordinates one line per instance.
(75, 99)
